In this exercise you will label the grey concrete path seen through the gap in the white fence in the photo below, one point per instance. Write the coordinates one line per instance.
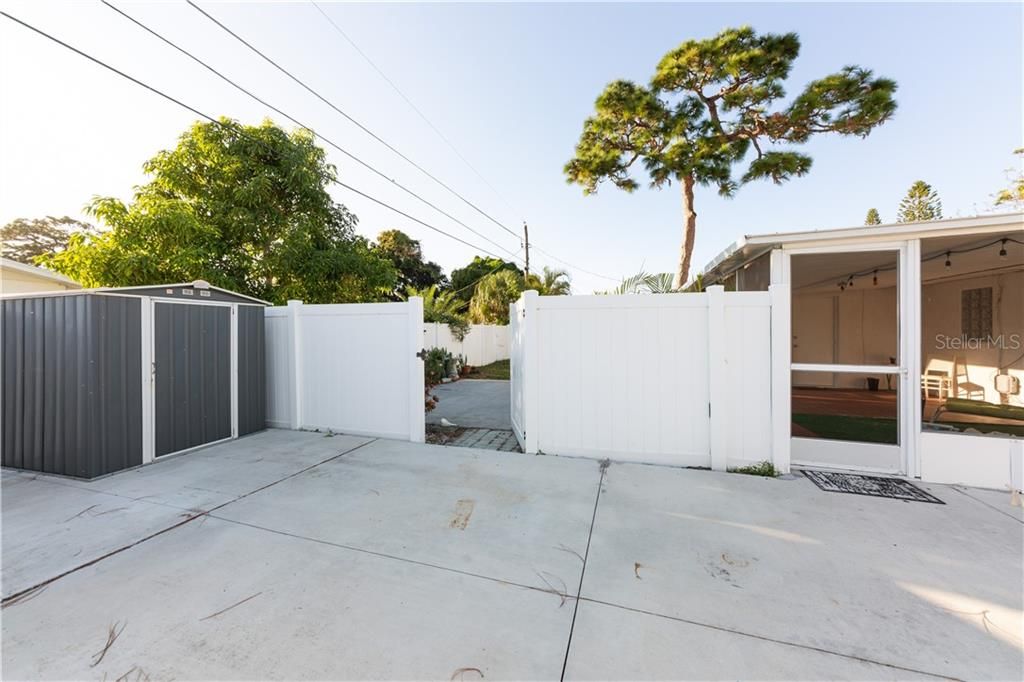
(482, 404)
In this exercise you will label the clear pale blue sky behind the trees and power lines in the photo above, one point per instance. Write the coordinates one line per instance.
(510, 86)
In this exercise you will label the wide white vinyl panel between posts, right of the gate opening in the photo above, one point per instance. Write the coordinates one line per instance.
(624, 377)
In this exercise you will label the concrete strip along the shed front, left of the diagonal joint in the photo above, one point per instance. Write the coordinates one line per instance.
(53, 525)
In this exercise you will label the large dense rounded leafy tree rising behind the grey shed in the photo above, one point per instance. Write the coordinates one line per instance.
(243, 207)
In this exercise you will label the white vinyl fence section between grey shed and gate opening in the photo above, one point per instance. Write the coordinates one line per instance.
(348, 368)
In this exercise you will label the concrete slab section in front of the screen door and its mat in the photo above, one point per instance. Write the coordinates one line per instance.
(931, 588)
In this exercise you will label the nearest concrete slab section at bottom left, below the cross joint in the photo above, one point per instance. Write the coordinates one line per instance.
(220, 601)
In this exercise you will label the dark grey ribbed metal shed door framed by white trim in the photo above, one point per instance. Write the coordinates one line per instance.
(192, 375)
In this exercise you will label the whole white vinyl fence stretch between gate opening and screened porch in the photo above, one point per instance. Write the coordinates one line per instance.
(680, 379)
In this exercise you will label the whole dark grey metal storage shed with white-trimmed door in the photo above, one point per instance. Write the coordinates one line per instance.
(97, 381)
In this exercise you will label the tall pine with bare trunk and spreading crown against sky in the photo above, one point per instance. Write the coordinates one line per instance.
(708, 106)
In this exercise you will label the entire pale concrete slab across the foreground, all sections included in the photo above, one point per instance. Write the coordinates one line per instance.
(295, 556)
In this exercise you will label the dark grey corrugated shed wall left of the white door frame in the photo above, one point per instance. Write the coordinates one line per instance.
(72, 385)
